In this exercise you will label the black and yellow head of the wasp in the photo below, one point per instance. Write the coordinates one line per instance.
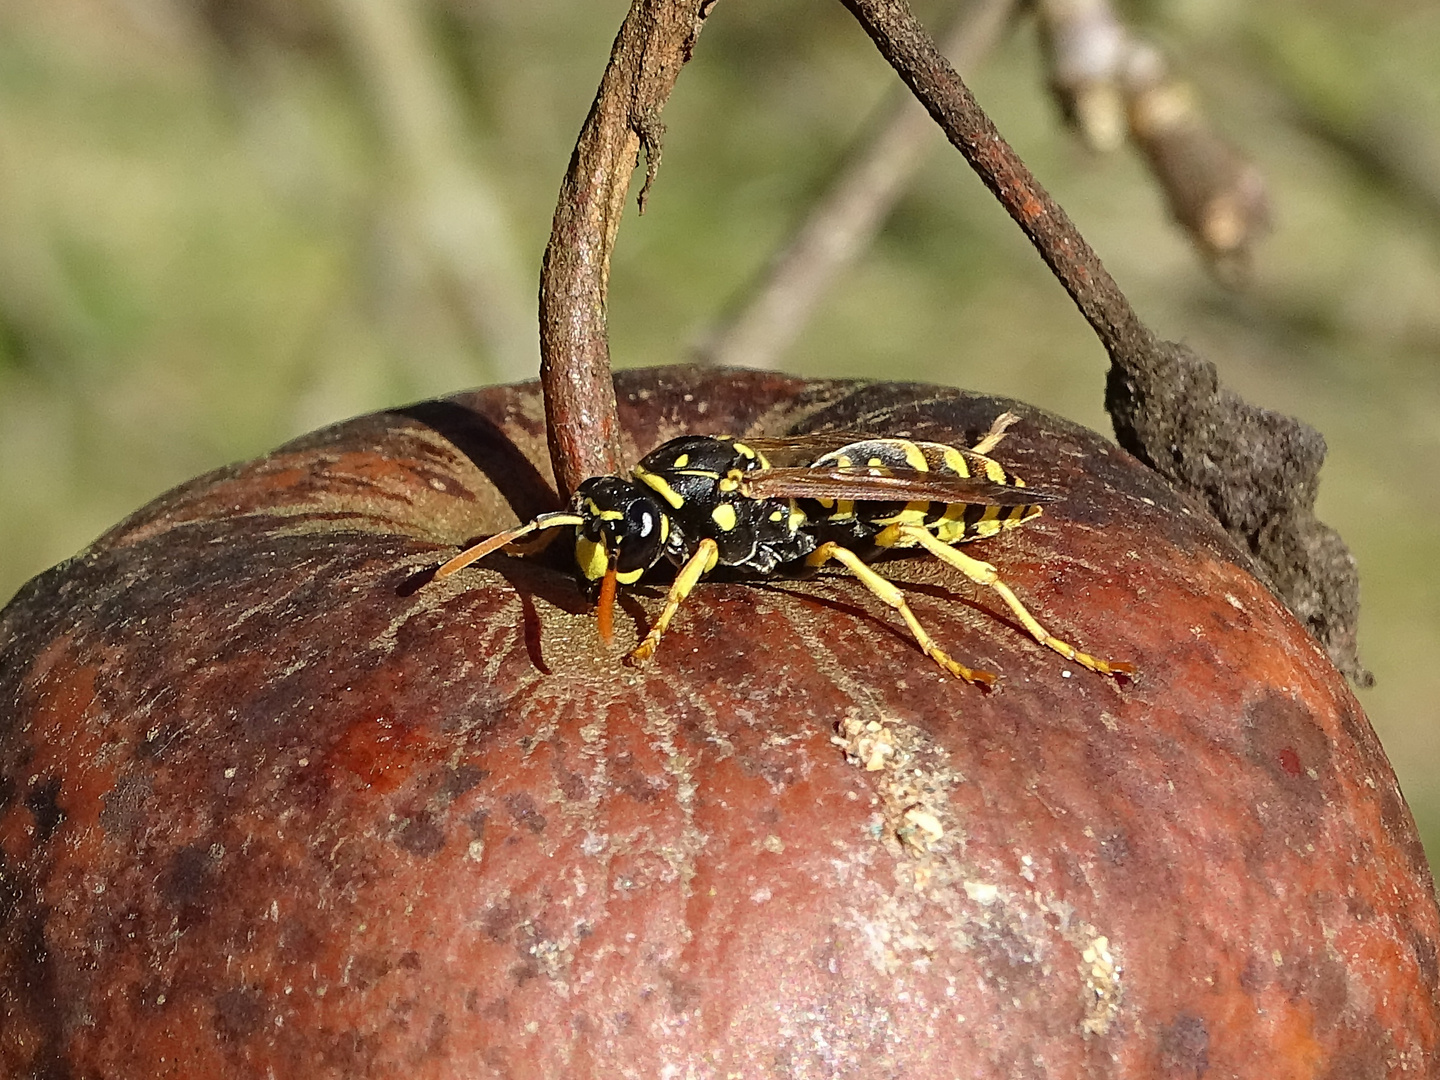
(624, 523)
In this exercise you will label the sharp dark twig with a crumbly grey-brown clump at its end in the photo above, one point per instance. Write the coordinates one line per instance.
(1258, 472)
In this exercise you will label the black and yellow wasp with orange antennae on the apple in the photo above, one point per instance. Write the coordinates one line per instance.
(793, 505)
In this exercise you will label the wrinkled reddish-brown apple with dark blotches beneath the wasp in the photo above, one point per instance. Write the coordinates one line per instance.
(276, 806)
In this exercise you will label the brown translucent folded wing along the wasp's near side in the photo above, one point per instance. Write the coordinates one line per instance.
(866, 485)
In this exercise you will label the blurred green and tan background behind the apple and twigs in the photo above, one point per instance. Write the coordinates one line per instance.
(227, 222)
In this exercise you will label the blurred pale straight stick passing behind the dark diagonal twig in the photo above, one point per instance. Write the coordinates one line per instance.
(780, 303)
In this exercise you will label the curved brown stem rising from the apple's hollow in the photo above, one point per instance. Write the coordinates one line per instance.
(654, 42)
